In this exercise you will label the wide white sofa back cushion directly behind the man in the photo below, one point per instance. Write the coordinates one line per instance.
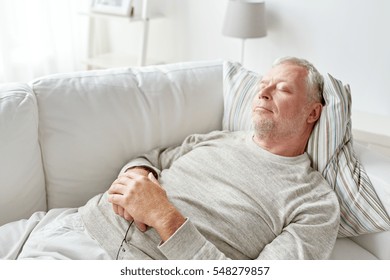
(91, 123)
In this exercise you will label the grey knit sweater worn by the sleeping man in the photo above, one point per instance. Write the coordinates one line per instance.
(241, 202)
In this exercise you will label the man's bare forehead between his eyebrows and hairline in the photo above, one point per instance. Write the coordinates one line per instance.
(287, 72)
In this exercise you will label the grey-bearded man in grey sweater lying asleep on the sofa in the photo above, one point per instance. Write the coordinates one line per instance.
(223, 195)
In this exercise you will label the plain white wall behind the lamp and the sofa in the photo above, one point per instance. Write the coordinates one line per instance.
(348, 38)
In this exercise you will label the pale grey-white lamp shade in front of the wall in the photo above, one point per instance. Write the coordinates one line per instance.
(245, 19)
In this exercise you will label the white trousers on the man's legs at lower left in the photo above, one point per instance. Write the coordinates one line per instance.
(57, 234)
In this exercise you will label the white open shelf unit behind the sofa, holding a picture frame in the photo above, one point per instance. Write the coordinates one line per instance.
(115, 59)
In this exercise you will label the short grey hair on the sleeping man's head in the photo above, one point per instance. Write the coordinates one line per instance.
(314, 80)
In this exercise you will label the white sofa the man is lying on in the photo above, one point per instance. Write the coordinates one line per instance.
(65, 137)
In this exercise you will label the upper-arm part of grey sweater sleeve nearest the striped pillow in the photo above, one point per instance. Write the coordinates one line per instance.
(311, 234)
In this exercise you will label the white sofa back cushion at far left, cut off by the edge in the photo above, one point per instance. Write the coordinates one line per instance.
(22, 189)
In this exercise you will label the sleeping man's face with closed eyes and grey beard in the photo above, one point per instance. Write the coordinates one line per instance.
(280, 106)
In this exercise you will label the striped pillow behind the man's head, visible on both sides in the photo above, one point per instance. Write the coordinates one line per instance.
(330, 148)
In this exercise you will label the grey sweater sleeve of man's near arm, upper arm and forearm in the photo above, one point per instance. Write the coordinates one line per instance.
(311, 235)
